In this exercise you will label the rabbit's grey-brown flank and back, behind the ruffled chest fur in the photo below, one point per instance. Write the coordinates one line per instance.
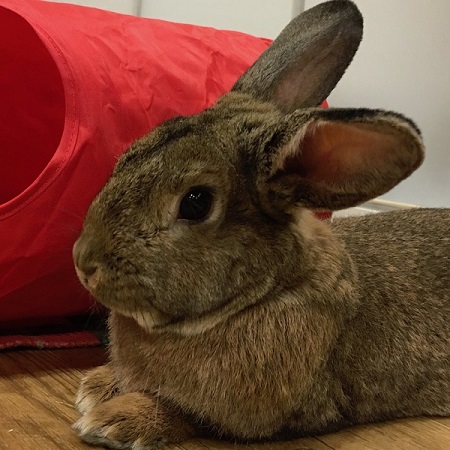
(394, 355)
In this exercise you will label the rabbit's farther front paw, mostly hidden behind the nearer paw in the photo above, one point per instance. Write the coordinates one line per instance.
(96, 387)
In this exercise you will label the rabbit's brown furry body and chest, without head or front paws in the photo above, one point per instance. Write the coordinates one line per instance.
(384, 348)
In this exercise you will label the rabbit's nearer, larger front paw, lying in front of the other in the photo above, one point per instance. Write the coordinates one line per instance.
(131, 421)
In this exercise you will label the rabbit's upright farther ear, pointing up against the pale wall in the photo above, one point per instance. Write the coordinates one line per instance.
(307, 59)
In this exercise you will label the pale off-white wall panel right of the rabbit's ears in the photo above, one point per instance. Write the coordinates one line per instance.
(403, 64)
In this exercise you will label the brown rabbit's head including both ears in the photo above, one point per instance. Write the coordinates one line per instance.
(208, 214)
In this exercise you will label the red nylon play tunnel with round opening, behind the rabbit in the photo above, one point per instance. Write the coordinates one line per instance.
(77, 86)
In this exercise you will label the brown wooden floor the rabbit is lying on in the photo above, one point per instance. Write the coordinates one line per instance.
(37, 388)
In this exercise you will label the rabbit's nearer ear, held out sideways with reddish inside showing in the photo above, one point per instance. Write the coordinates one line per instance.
(336, 158)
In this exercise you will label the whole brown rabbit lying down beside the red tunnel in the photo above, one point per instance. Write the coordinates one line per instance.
(234, 312)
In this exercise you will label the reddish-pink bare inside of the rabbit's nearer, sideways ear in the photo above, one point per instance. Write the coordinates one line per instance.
(335, 152)
